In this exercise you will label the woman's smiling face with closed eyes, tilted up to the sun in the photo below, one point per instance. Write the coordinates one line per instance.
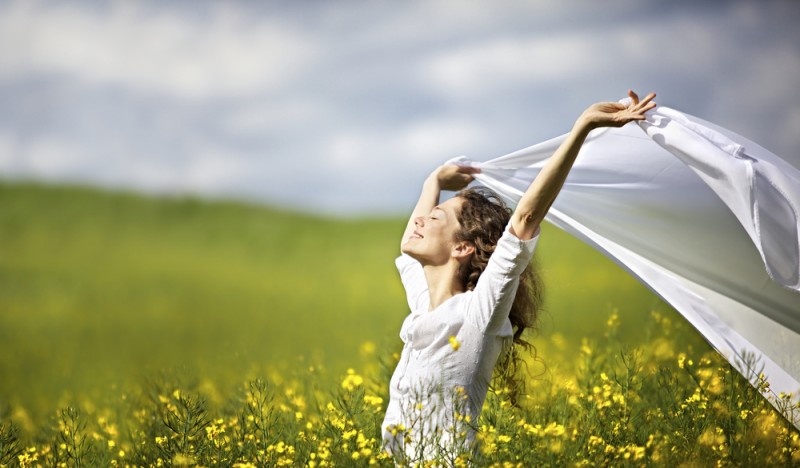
(433, 239)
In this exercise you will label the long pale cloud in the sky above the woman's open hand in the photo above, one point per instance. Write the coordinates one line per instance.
(513, 61)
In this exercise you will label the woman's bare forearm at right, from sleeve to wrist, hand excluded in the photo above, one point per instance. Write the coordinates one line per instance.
(540, 195)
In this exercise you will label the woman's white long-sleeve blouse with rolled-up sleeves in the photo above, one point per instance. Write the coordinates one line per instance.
(449, 353)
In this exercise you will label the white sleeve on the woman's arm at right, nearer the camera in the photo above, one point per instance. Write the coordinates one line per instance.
(494, 294)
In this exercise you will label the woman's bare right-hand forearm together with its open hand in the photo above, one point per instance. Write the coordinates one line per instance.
(542, 192)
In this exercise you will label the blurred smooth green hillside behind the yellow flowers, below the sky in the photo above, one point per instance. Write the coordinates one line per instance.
(99, 288)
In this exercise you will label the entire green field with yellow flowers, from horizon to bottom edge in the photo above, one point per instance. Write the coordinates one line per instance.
(143, 332)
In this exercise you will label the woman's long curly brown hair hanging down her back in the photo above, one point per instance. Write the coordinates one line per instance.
(483, 218)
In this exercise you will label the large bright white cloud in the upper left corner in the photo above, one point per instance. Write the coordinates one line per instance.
(161, 50)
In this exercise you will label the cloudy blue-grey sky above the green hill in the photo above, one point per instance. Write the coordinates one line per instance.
(343, 108)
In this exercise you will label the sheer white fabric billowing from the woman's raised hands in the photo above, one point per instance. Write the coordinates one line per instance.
(704, 217)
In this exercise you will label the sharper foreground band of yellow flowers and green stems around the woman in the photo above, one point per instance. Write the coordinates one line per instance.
(601, 405)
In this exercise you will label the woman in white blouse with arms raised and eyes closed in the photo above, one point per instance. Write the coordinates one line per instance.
(461, 264)
